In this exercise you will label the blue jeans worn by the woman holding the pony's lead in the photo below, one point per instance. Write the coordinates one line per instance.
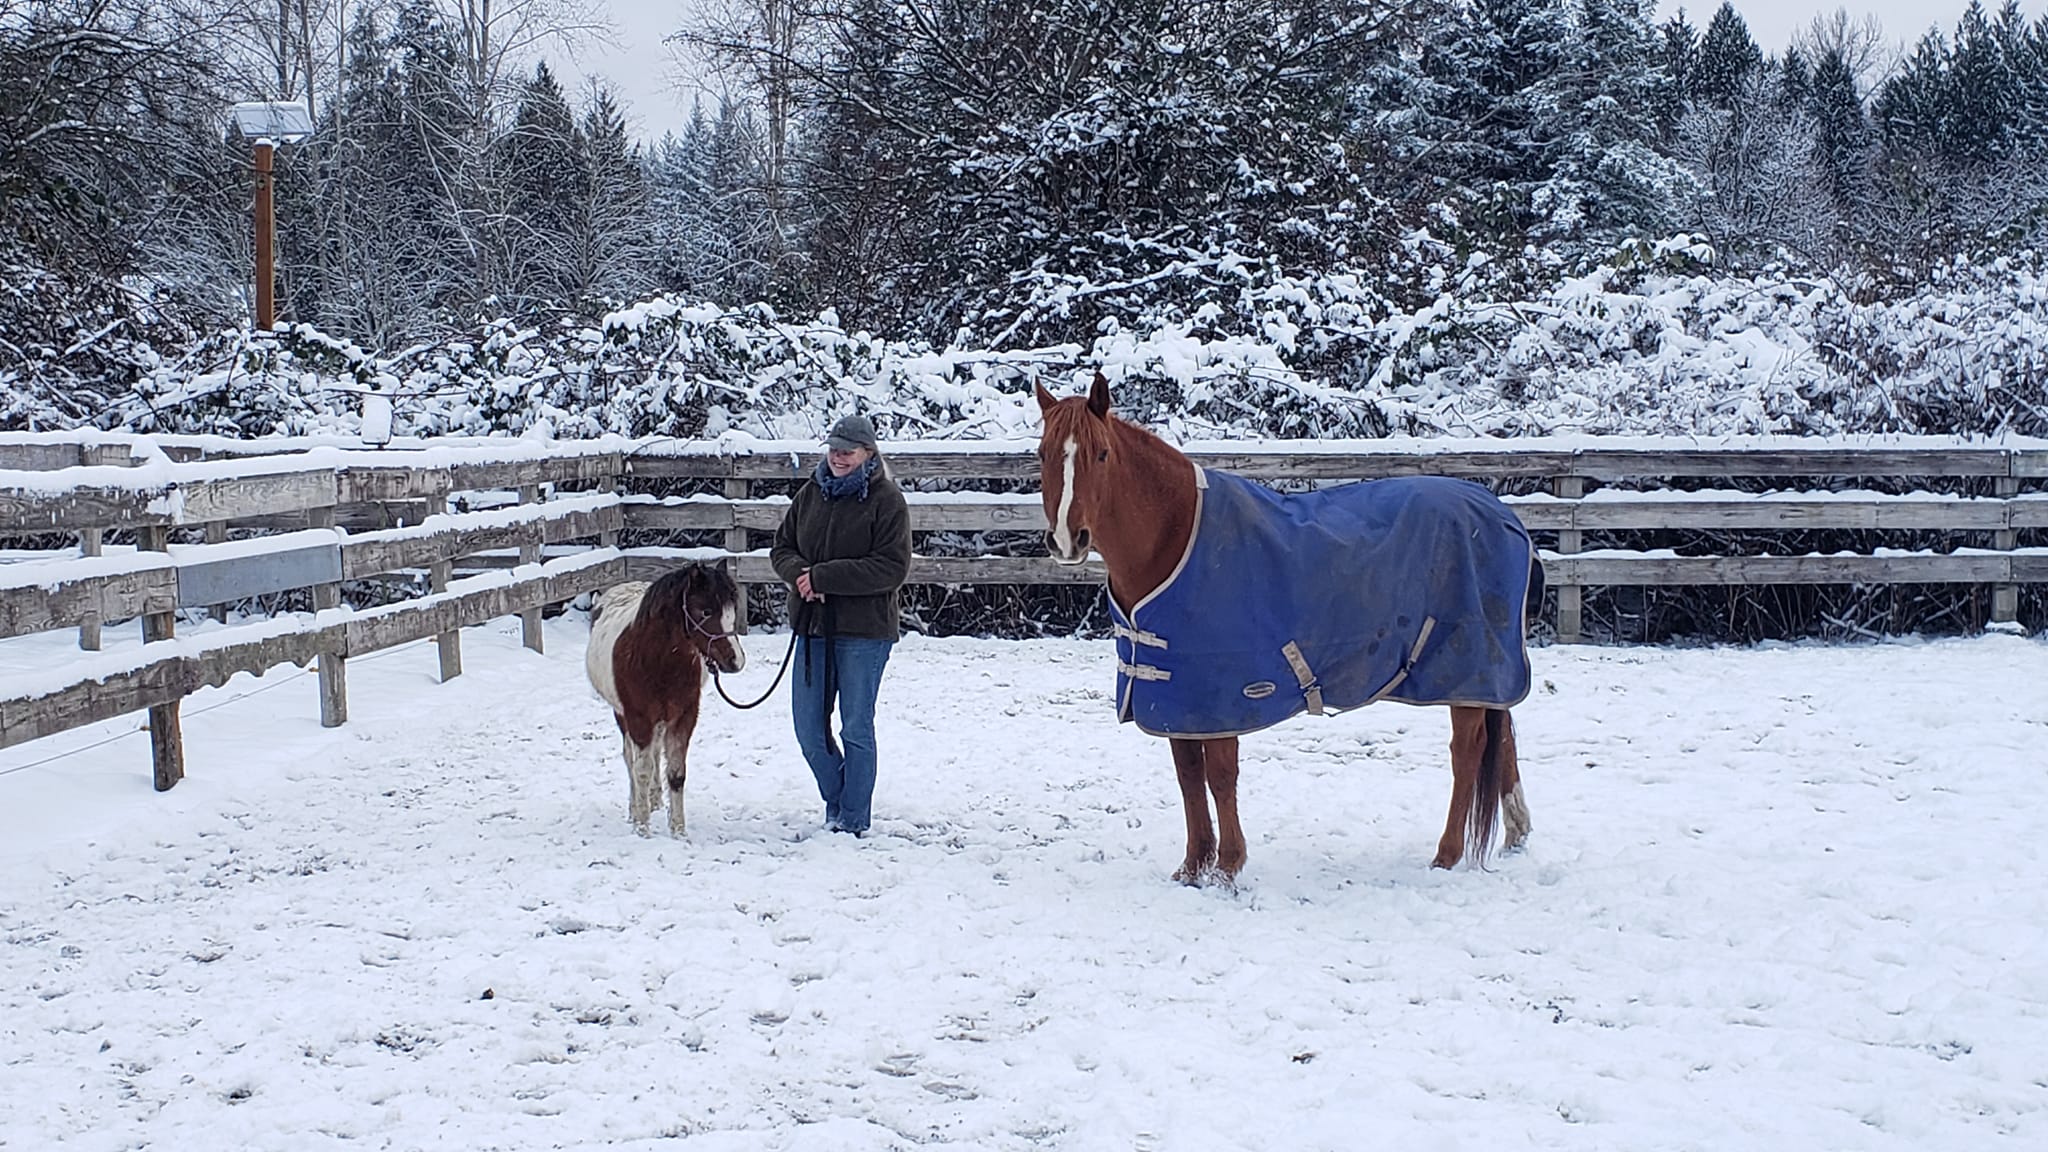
(845, 778)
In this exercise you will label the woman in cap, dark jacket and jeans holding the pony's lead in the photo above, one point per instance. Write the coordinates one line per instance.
(845, 548)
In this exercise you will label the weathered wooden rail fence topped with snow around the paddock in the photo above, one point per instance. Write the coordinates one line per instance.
(93, 485)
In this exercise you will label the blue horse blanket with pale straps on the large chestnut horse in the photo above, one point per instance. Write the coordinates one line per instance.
(1408, 589)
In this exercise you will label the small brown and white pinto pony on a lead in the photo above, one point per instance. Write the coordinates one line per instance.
(648, 653)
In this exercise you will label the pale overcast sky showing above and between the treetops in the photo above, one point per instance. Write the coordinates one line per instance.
(640, 69)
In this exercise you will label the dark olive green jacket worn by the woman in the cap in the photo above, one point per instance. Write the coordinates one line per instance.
(859, 559)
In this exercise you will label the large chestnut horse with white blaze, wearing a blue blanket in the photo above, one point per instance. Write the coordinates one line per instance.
(1449, 628)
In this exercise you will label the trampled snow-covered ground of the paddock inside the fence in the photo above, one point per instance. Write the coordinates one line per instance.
(1777, 899)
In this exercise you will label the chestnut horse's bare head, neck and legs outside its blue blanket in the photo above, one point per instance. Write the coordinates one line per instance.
(1134, 499)
